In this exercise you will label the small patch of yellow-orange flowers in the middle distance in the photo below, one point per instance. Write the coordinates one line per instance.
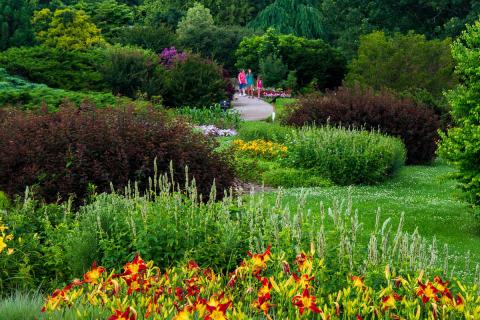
(260, 148)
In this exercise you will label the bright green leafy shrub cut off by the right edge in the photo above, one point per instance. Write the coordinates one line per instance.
(461, 145)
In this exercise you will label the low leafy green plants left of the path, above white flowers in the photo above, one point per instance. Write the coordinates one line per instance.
(212, 115)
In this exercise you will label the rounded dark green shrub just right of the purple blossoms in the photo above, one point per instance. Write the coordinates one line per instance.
(195, 82)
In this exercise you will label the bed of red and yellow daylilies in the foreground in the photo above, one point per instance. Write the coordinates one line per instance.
(262, 285)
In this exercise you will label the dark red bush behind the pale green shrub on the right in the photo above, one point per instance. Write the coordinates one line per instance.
(415, 124)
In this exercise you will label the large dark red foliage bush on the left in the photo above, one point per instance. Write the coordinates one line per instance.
(60, 154)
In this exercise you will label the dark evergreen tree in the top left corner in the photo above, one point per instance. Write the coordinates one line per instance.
(15, 27)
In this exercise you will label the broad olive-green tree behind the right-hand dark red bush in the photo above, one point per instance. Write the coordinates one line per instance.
(403, 63)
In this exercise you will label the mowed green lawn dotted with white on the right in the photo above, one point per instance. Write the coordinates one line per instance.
(424, 194)
